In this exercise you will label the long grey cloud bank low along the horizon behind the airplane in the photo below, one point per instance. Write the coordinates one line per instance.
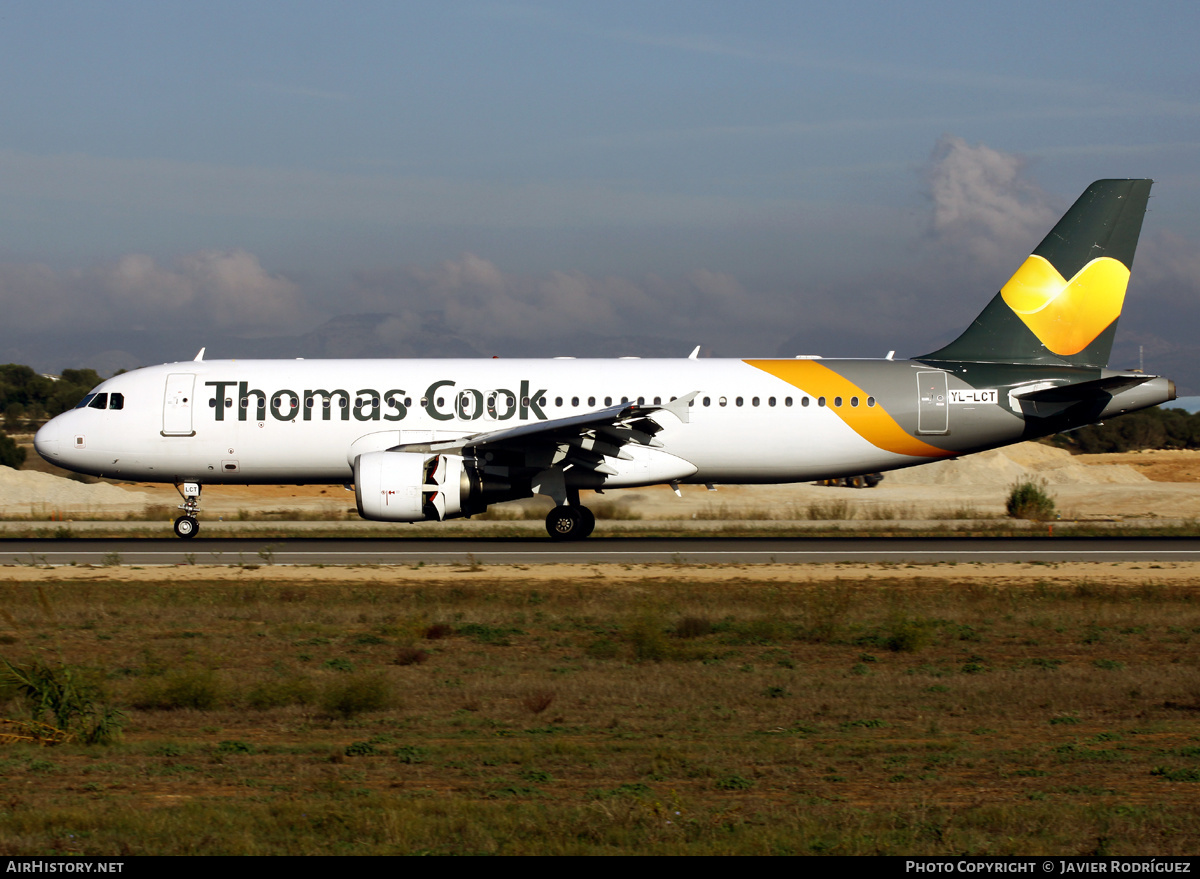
(985, 214)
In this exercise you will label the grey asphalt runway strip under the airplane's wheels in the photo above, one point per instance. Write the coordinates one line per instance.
(693, 551)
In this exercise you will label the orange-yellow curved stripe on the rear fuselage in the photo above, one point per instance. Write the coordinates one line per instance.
(873, 423)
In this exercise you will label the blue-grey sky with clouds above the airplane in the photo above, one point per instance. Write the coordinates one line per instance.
(554, 178)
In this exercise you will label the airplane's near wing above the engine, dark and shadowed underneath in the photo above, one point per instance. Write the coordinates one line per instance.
(578, 441)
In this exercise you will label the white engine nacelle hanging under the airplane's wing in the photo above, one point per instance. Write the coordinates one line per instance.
(411, 487)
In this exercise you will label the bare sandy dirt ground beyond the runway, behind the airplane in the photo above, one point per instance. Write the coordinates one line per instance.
(1141, 486)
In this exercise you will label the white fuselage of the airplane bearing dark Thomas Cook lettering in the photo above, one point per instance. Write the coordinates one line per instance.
(303, 421)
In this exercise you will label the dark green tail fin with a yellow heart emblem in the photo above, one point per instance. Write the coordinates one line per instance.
(1064, 303)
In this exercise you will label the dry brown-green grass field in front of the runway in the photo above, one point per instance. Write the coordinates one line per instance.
(667, 710)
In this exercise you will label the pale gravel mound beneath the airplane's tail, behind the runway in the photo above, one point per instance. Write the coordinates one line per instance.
(1017, 464)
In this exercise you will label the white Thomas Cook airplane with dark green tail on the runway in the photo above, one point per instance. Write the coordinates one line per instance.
(435, 440)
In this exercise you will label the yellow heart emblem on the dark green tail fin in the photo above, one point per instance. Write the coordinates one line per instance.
(1067, 316)
